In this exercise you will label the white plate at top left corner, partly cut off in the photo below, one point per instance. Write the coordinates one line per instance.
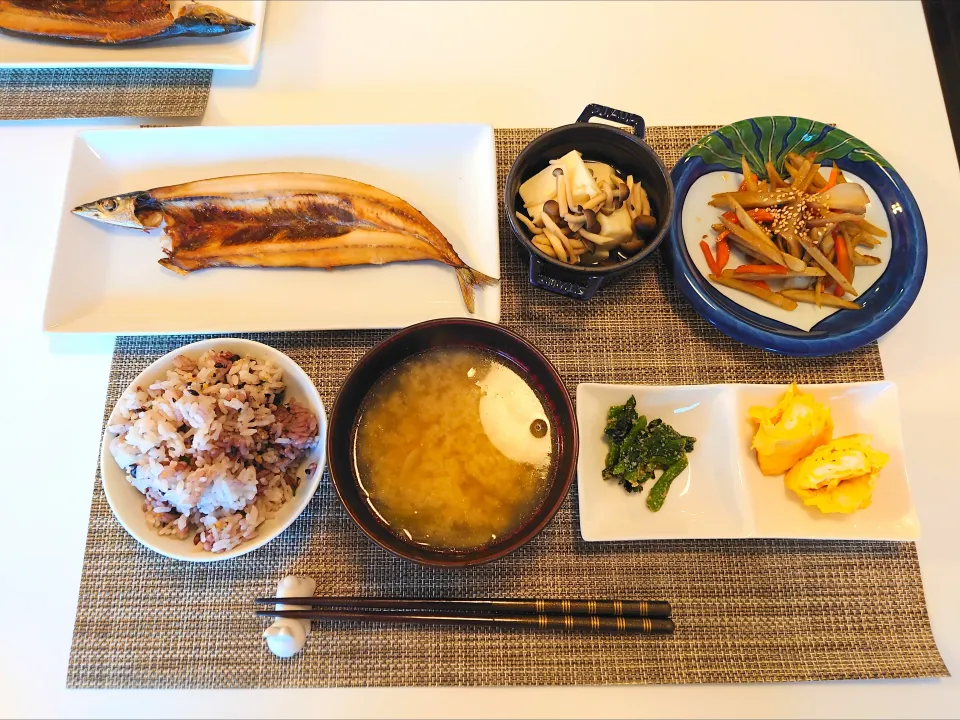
(237, 51)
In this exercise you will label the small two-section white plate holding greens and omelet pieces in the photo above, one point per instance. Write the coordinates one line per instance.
(722, 494)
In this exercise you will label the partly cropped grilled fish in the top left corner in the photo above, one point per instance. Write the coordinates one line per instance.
(113, 22)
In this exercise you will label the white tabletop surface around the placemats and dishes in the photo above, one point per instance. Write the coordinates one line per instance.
(432, 61)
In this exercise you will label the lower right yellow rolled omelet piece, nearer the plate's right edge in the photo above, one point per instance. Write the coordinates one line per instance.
(838, 477)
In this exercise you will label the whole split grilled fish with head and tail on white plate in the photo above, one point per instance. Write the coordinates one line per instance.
(284, 220)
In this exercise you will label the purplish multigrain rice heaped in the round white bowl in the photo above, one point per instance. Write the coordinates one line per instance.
(213, 447)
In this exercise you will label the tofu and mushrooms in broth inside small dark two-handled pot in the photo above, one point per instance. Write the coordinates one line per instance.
(584, 213)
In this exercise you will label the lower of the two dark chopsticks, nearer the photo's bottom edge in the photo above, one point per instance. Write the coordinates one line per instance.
(577, 623)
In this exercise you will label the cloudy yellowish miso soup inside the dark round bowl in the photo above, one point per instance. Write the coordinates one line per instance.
(454, 448)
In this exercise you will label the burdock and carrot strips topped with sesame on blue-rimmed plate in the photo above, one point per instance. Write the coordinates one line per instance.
(805, 232)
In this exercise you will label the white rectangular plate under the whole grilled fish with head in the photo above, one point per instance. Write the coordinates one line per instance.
(106, 278)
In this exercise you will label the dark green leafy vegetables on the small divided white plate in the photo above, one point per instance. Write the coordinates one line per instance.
(637, 449)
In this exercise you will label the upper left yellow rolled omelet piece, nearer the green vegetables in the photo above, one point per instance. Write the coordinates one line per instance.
(789, 431)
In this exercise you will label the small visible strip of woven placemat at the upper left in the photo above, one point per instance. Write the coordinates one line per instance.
(32, 94)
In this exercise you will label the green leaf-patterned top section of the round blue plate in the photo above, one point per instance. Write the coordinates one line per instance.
(772, 137)
